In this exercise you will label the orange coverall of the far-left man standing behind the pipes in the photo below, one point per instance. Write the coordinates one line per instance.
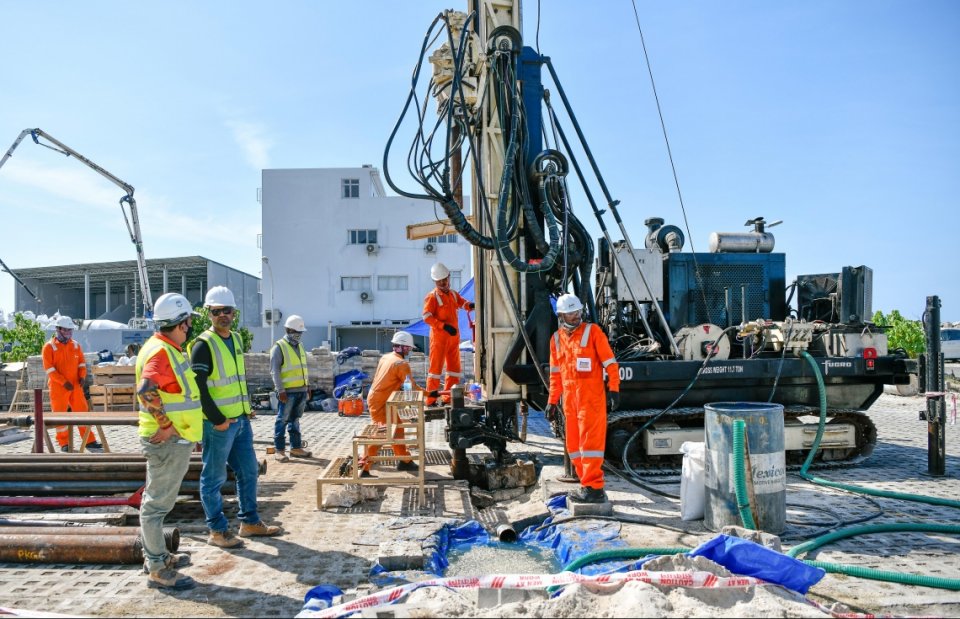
(64, 363)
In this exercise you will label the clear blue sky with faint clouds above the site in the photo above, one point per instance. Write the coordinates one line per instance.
(840, 118)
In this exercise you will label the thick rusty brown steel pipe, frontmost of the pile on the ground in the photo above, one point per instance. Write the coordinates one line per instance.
(106, 549)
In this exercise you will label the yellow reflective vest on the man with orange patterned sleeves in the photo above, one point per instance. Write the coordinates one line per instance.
(183, 409)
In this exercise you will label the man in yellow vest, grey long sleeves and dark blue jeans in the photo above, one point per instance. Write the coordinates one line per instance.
(288, 368)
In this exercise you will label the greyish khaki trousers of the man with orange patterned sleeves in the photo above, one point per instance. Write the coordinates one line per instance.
(167, 463)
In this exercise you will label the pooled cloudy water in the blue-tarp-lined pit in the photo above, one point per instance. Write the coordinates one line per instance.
(500, 558)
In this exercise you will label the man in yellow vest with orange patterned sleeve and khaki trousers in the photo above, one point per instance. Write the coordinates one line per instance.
(171, 423)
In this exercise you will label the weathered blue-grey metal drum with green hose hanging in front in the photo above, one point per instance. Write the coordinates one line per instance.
(767, 472)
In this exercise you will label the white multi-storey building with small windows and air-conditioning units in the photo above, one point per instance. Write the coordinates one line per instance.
(335, 251)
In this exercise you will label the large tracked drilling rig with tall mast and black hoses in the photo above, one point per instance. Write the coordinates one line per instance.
(688, 328)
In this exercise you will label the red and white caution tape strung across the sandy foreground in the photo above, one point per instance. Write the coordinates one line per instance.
(540, 581)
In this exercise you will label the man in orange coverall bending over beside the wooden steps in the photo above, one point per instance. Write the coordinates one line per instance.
(393, 370)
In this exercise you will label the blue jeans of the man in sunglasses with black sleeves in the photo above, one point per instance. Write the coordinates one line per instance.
(234, 447)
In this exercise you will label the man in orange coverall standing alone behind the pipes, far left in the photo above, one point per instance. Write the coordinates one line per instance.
(66, 373)
